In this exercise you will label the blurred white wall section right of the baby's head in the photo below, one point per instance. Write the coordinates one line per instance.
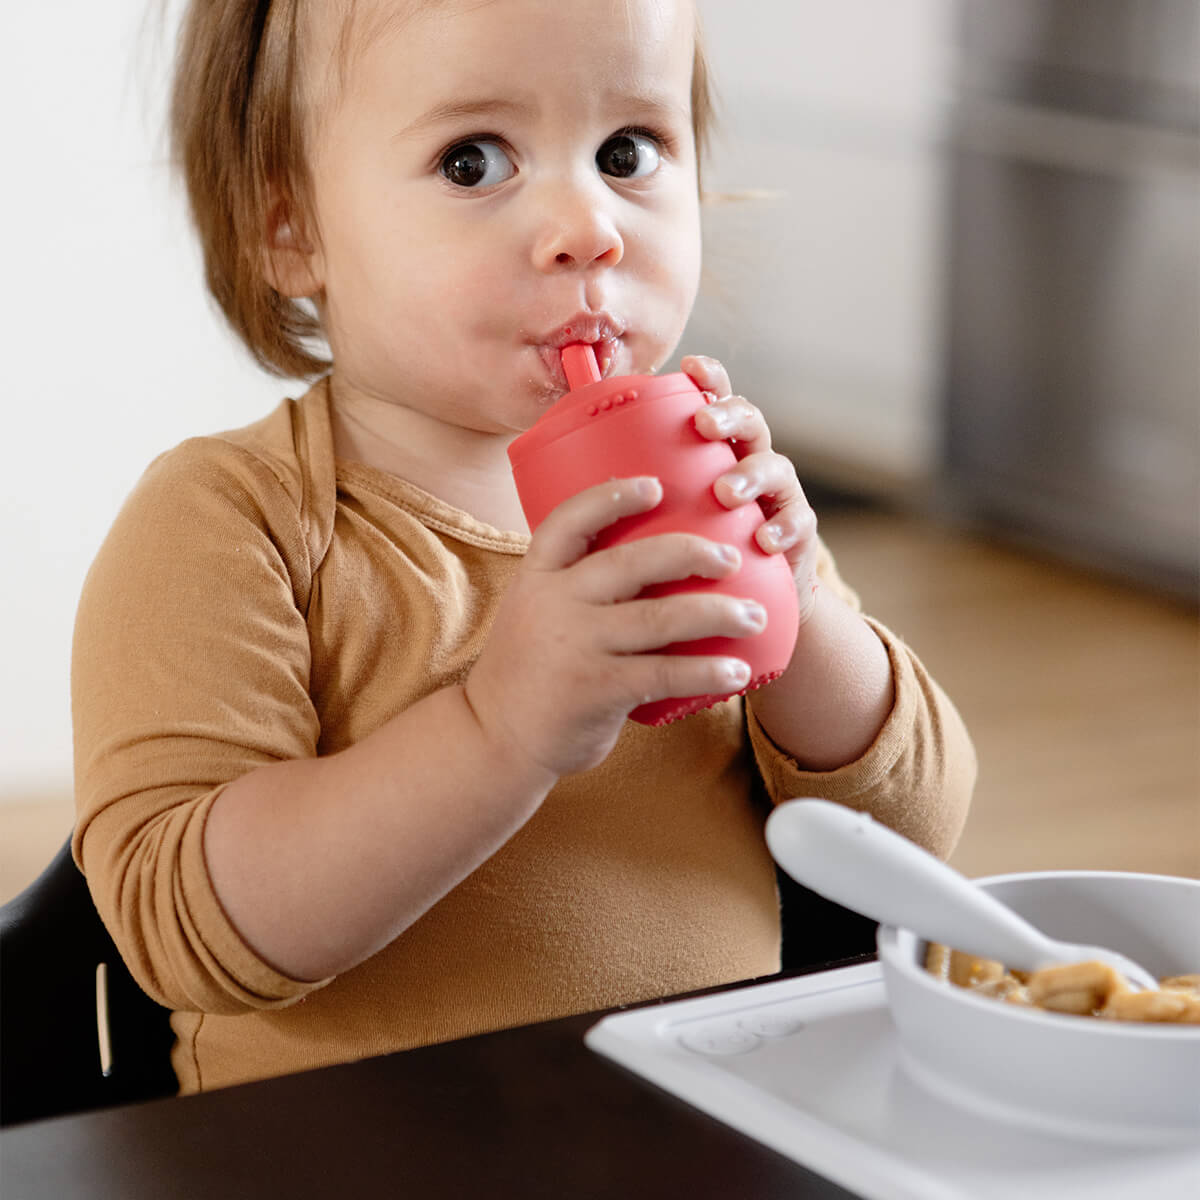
(827, 298)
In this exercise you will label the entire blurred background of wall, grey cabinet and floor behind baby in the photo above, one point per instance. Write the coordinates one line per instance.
(953, 251)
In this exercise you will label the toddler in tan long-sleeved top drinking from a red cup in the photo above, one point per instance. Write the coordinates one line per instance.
(353, 765)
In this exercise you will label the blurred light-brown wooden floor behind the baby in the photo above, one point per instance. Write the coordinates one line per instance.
(1083, 697)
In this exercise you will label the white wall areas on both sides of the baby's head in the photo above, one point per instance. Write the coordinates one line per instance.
(113, 353)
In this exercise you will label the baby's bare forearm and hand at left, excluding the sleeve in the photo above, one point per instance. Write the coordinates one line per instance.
(431, 795)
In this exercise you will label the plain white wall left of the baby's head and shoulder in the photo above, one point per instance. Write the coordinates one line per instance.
(112, 353)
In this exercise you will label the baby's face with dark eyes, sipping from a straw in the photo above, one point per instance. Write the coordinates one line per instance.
(497, 179)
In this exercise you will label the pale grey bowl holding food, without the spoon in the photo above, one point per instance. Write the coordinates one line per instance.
(1076, 1076)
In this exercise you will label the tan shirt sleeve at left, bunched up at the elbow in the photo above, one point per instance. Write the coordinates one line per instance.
(190, 669)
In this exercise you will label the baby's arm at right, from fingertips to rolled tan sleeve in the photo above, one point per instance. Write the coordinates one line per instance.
(856, 716)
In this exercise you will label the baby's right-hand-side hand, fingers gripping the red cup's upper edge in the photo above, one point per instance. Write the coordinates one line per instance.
(790, 526)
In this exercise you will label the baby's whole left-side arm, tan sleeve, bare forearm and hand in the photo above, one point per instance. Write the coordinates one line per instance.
(219, 842)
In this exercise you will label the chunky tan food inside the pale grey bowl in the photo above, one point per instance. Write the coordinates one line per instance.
(1085, 989)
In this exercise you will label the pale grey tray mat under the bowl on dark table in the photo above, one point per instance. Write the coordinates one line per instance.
(811, 1067)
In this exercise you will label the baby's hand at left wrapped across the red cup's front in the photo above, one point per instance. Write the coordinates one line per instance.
(567, 658)
